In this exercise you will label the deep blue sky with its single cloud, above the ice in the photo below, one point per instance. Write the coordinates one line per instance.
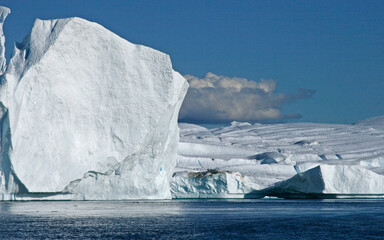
(257, 61)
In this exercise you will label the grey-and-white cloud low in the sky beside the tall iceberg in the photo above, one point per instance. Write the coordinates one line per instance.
(216, 98)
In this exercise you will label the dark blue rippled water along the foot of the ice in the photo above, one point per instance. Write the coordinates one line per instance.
(209, 219)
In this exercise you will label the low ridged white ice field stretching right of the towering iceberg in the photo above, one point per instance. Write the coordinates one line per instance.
(269, 154)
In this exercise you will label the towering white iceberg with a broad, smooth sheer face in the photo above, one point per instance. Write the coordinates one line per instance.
(86, 112)
